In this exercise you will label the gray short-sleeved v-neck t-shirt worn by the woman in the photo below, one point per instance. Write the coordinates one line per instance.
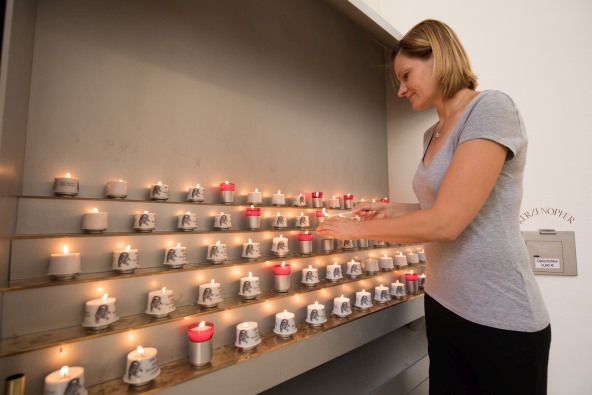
(484, 275)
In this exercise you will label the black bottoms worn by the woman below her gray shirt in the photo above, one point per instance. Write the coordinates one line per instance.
(468, 358)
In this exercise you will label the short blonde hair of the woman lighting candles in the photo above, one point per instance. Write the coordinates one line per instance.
(432, 38)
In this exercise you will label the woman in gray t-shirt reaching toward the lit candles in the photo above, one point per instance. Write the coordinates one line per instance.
(487, 326)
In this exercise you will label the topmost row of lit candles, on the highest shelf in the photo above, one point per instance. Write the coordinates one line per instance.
(117, 189)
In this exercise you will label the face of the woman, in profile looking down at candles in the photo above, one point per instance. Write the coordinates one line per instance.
(416, 80)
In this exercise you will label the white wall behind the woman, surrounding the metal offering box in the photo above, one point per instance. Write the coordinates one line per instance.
(538, 52)
